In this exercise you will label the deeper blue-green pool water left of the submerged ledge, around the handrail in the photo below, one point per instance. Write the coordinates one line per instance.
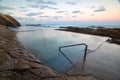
(45, 43)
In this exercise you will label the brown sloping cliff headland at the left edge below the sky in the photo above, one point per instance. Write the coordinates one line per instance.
(8, 20)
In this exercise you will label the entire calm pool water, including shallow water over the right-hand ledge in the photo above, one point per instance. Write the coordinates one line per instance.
(103, 59)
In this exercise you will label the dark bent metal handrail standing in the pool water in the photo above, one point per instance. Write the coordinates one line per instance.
(73, 45)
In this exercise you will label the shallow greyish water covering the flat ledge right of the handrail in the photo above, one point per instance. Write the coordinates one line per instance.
(104, 63)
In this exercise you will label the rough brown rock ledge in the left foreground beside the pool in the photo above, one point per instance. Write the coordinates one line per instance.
(17, 64)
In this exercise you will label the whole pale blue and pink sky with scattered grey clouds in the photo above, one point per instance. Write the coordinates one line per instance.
(36, 11)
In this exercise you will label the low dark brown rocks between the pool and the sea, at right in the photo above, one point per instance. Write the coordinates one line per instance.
(113, 33)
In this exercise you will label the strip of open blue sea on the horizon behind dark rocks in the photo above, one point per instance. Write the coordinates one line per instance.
(81, 24)
